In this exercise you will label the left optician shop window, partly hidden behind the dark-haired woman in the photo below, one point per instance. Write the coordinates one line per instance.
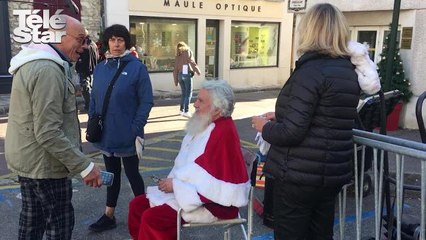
(155, 40)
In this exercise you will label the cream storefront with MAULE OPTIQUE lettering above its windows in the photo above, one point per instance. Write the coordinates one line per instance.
(246, 42)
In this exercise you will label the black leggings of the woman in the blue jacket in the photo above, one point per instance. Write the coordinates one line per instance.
(131, 168)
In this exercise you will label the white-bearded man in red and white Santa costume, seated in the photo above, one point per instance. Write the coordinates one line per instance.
(209, 180)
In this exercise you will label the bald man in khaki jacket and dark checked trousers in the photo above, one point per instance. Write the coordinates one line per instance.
(43, 141)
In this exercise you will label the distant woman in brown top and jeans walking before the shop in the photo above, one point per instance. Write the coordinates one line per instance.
(185, 67)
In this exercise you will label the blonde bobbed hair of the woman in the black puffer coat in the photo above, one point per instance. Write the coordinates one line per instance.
(324, 29)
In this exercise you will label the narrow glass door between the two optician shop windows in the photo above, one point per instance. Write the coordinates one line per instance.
(212, 47)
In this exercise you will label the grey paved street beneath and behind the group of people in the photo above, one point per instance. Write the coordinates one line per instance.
(164, 133)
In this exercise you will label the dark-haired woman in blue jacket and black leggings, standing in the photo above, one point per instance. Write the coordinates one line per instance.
(128, 109)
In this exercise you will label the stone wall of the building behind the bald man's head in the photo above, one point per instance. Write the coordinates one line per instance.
(90, 17)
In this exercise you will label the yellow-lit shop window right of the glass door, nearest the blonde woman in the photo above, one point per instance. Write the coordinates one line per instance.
(254, 44)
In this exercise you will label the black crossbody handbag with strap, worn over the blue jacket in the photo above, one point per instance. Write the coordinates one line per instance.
(95, 122)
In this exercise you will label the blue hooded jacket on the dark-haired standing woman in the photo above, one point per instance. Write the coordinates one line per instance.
(129, 105)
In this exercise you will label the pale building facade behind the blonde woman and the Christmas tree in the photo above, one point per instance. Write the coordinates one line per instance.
(370, 23)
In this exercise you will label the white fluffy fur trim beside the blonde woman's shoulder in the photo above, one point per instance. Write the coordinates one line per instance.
(368, 78)
